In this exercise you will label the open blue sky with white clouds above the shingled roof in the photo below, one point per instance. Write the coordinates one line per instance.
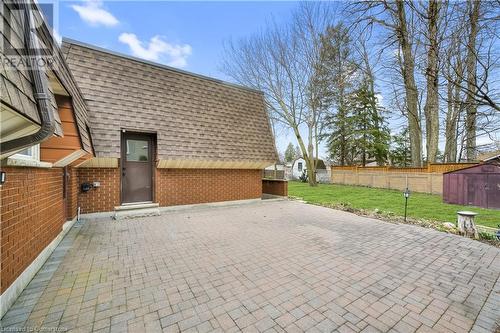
(189, 35)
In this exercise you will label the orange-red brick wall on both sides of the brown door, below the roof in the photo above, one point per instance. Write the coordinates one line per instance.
(172, 187)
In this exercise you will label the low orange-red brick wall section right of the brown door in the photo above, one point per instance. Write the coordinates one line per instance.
(191, 186)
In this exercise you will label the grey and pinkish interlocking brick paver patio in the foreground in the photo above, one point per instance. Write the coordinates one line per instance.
(263, 267)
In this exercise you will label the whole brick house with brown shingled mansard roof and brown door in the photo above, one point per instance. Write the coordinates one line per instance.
(114, 130)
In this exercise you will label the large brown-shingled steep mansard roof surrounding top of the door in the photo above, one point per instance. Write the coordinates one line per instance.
(196, 118)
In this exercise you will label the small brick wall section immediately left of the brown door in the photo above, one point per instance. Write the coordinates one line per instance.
(103, 198)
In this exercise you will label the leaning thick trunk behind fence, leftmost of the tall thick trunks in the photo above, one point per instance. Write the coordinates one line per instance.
(410, 87)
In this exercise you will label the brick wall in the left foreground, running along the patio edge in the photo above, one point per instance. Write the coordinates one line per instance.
(32, 214)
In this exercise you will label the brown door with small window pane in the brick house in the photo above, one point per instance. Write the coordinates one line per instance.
(137, 167)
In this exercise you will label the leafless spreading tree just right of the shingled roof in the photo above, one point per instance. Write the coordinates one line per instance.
(279, 61)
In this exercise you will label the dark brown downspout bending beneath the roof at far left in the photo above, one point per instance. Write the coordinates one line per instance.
(40, 89)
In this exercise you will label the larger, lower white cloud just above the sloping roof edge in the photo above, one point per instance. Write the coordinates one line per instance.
(158, 49)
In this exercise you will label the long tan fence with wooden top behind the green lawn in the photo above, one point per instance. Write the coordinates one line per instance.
(427, 179)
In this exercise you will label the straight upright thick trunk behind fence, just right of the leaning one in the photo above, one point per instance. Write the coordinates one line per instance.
(431, 108)
